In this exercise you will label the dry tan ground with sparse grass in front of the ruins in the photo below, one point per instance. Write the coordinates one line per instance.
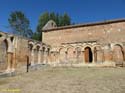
(66, 80)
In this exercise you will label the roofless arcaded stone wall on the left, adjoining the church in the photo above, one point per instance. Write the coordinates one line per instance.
(16, 51)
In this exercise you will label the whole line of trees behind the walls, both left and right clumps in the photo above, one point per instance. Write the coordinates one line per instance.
(20, 25)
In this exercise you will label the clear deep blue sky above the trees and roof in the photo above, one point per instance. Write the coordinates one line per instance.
(80, 11)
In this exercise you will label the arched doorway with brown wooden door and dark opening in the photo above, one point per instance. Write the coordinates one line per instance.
(88, 55)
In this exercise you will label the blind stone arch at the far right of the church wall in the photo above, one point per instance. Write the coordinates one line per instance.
(118, 53)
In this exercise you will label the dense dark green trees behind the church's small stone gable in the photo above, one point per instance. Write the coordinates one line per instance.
(60, 20)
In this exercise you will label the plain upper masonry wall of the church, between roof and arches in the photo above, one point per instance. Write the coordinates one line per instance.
(103, 33)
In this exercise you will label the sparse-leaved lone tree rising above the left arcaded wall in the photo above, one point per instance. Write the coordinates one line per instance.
(19, 24)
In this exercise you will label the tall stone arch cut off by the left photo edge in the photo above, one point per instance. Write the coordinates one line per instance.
(3, 55)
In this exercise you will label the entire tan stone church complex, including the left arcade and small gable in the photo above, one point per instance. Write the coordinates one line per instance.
(92, 44)
